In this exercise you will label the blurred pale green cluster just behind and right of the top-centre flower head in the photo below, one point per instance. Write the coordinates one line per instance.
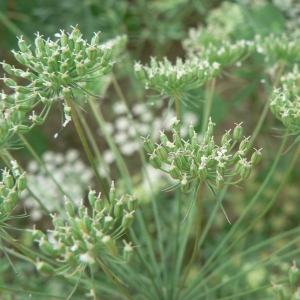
(216, 49)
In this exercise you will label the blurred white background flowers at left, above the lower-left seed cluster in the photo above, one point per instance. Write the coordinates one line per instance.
(68, 170)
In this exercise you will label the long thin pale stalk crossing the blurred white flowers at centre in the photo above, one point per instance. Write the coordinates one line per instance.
(143, 159)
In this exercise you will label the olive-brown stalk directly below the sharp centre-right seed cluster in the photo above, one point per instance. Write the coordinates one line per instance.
(198, 233)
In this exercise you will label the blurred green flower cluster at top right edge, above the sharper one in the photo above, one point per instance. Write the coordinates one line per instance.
(279, 48)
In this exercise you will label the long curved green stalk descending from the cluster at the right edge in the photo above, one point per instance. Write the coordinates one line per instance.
(208, 265)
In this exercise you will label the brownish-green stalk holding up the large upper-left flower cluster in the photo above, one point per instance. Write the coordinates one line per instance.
(86, 146)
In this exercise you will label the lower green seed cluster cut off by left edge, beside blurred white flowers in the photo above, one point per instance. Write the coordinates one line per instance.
(11, 187)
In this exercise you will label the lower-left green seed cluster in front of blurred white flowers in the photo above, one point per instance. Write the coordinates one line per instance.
(86, 237)
